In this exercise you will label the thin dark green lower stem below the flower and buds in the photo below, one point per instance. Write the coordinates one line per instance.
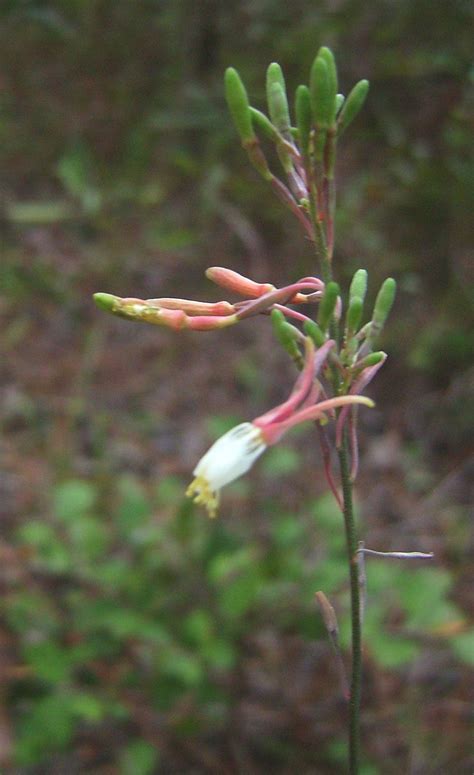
(352, 546)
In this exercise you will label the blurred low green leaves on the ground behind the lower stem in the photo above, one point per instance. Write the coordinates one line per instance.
(130, 603)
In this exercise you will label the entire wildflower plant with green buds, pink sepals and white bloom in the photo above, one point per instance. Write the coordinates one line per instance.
(323, 330)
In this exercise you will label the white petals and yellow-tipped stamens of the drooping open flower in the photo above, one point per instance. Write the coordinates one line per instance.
(229, 457)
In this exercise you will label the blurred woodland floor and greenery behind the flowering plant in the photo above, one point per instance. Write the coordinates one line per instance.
(136, 636)
